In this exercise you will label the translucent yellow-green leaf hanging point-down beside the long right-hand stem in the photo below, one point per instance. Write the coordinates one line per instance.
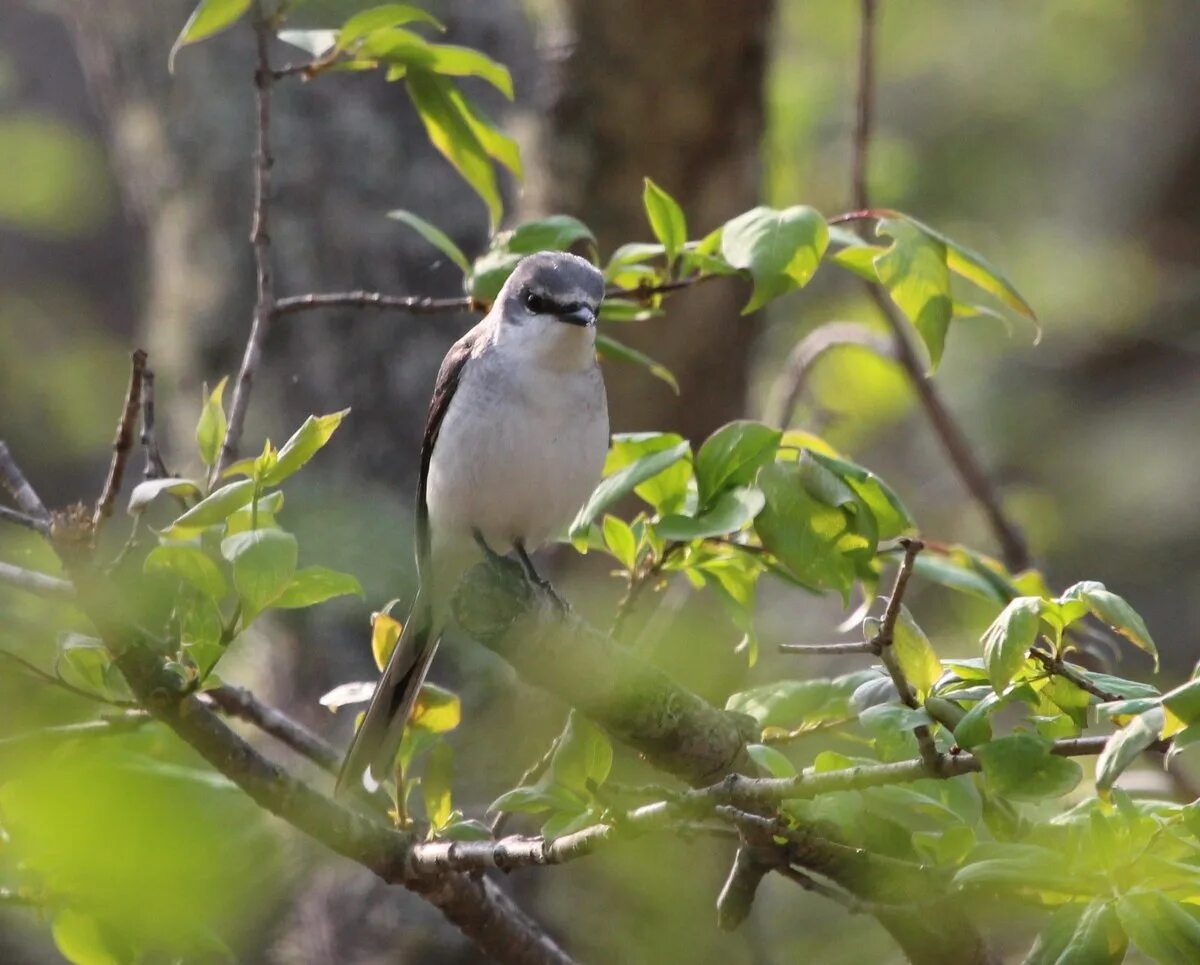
(914, 269)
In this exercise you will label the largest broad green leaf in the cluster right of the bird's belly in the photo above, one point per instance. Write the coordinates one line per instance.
(802, 532)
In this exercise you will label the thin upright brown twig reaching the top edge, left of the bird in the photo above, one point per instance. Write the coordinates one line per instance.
(261, 242)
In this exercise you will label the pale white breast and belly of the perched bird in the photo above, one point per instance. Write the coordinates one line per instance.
(520, 449)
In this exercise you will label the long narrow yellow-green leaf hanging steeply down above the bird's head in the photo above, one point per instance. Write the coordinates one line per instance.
(454, 135)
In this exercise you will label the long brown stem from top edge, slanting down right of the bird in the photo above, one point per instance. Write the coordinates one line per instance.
(1012, 543)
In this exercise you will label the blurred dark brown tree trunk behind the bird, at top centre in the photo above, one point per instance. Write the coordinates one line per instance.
(673, 92)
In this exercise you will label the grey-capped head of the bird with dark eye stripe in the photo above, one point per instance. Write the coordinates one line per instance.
(550, 303)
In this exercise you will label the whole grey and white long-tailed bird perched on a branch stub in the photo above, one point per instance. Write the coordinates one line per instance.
(515, 442)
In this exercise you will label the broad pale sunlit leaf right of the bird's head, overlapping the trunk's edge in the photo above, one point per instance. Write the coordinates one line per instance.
(779, 249)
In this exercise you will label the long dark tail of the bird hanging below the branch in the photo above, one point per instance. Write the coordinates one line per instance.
(377, 741)
